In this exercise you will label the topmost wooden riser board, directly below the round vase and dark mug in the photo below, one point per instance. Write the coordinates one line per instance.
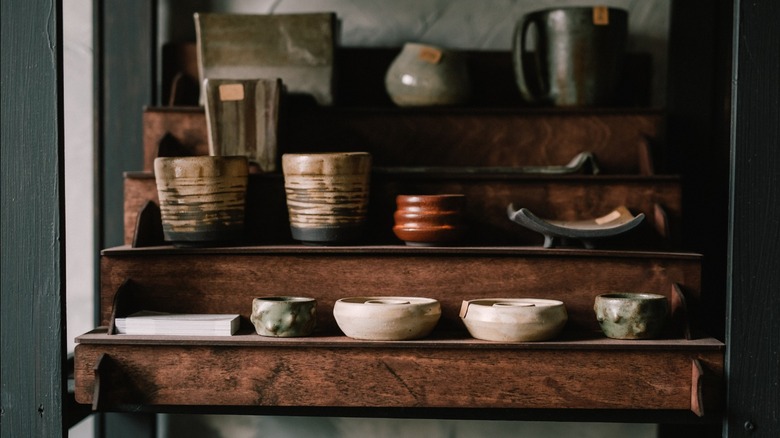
(442, 137)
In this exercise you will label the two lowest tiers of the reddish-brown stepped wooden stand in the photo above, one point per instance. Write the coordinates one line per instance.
(328, 374)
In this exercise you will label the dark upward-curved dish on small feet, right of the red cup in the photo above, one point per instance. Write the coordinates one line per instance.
(587, 231)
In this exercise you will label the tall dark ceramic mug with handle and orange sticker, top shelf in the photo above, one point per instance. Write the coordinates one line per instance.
(578, 59)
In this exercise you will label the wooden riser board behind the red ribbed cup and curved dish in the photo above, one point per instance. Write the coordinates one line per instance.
(568, 198)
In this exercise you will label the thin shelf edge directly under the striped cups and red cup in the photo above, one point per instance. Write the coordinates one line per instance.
(398, 250)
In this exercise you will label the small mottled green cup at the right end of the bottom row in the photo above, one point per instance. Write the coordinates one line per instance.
(631, 315)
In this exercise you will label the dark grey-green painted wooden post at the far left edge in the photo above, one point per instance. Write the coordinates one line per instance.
(32, 283)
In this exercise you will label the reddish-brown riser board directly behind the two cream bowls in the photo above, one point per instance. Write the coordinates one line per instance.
(220, 281)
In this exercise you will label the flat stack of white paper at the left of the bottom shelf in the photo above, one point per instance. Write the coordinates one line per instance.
(155, 323)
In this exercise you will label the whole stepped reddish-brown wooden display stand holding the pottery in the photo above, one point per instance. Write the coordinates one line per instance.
(581, 370)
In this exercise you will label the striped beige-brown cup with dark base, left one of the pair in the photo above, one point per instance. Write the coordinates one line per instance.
(202, 198)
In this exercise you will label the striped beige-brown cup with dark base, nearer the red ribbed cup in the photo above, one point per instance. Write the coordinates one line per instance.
(327, 195)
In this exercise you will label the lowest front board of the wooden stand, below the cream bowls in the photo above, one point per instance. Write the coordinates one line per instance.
(447, 371)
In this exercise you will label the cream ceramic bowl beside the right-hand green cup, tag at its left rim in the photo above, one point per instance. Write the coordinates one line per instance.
(514, 319)
